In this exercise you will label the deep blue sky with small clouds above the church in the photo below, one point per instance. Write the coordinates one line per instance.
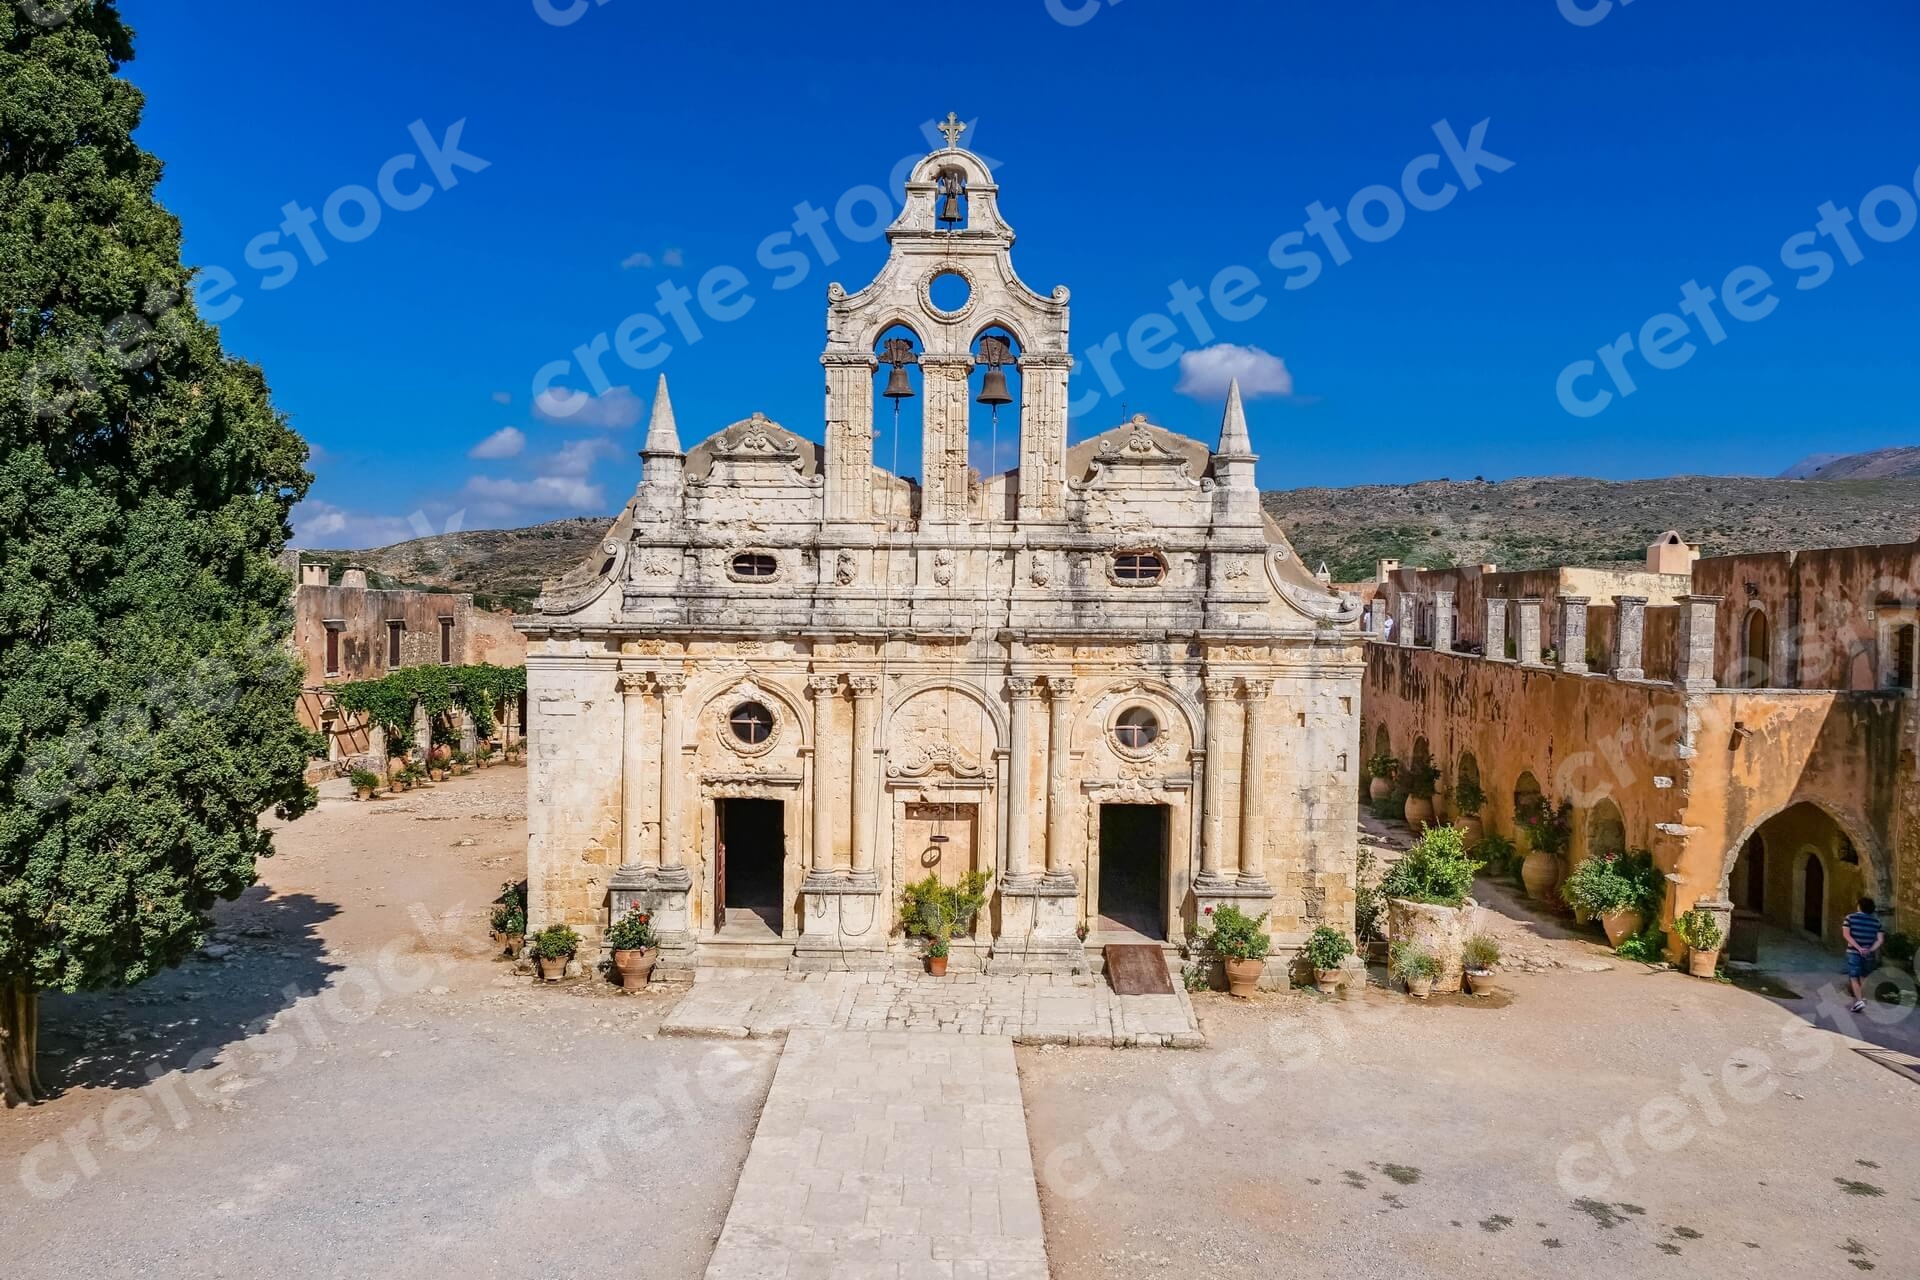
(642, 147)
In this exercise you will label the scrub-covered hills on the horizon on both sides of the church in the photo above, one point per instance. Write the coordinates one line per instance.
(1512, 523)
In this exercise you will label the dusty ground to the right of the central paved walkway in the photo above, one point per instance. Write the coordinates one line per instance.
(1550, 1129)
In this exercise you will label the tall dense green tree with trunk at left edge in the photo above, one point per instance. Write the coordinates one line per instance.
(147, 690)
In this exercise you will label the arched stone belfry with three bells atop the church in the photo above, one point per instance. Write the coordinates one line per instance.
(949, 279)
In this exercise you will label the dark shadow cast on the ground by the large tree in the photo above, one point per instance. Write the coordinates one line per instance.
(183, 1018)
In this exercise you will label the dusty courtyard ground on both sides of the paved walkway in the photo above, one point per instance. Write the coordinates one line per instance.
(348, 1085)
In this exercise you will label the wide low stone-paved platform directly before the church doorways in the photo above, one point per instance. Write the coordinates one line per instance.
(1034, 1008)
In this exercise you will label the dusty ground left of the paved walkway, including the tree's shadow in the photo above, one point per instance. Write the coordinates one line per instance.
(429, 1114)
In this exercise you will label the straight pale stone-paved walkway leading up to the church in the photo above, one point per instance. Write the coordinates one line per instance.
(888, 1156)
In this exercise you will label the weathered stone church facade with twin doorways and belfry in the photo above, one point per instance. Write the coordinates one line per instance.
(790, 682)
